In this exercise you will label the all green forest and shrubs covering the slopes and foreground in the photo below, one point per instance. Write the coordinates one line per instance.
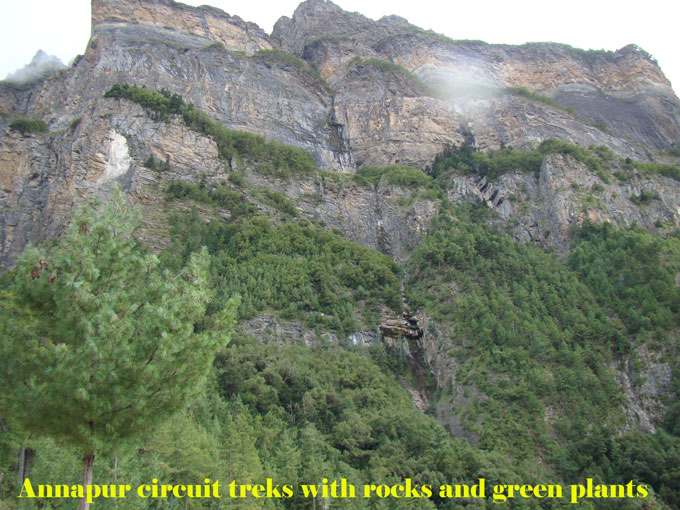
(536, 338)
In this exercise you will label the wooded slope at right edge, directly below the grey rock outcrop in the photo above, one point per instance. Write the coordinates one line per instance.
(633, 273)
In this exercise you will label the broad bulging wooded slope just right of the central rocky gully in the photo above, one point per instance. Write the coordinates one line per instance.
(526, 334)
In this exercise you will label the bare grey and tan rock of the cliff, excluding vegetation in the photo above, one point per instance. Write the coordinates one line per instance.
(361, 92)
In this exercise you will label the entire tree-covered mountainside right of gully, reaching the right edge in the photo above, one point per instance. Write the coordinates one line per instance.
(534, 335)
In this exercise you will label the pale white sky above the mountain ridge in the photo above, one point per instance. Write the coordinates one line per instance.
(62, 27)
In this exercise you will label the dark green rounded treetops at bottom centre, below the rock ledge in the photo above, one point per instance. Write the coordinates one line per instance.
(345, 418)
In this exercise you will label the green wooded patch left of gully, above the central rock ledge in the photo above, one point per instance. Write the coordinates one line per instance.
(299, 270)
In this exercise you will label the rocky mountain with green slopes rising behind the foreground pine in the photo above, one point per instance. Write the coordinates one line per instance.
(496, 224)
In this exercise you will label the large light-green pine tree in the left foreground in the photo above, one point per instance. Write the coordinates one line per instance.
(100, 344)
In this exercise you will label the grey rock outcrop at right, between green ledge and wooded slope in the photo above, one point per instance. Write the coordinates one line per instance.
(544, 208)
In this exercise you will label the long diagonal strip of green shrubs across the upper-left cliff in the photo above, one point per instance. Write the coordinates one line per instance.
(271, 158)
